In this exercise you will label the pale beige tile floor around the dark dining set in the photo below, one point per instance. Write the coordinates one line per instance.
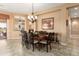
(14, 48)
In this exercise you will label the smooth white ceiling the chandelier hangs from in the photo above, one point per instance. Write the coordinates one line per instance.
(26, 8)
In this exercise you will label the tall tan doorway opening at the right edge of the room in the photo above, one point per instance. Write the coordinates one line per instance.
(74, 21)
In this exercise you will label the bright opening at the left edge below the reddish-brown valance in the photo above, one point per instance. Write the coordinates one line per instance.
(3, 29)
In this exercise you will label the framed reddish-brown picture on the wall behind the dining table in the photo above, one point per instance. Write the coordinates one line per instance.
(48, 23)
